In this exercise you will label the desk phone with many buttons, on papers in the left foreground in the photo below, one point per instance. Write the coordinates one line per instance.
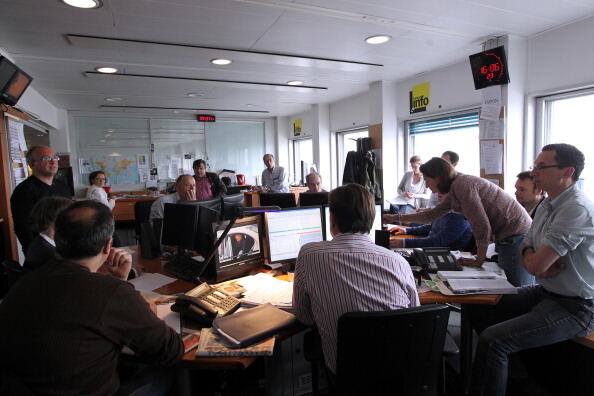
(204, 303)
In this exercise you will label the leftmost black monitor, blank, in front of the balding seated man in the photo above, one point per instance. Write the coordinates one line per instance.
(180, 223)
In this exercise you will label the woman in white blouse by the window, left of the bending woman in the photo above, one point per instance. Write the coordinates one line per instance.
(412, 190)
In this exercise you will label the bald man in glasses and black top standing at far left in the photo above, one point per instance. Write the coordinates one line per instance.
(44, 165)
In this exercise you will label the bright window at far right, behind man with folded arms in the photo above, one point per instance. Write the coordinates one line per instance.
(568, 118)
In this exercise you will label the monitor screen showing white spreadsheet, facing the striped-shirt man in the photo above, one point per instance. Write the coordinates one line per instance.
(290, 229)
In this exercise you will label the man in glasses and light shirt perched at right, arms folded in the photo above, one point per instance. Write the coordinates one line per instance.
(558, 251)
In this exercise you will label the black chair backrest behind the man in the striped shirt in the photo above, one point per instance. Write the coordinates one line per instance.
(391, 353)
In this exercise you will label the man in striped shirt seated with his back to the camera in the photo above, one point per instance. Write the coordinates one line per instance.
(349, 273)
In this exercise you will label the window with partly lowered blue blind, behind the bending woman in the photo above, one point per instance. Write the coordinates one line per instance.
(457, 132)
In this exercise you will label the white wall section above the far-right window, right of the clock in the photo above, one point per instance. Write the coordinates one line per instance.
(561, 59)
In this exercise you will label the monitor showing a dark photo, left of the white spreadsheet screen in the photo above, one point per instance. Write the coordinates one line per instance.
(240, 253)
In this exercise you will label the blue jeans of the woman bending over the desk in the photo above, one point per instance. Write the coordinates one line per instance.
(509, 251)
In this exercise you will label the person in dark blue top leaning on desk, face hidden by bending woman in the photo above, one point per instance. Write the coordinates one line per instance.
(451, 230)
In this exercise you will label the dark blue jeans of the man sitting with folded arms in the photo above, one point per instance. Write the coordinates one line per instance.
(529, 319)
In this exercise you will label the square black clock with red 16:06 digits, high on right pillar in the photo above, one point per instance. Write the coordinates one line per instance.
(489, 68)
